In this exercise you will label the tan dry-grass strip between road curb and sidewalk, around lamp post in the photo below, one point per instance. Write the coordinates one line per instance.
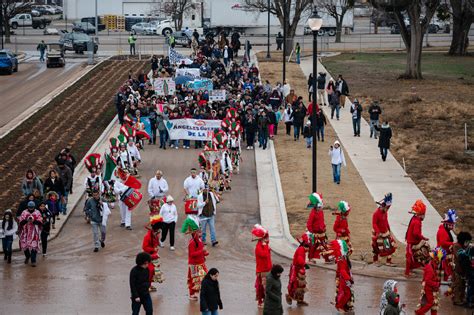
(294, 164)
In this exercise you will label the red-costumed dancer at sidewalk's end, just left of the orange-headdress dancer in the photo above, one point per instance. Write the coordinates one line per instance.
(383, 243)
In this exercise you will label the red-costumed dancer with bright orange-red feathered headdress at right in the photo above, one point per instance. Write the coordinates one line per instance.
(418, 248)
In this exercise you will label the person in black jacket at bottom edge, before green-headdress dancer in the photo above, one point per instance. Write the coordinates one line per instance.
(210, 296)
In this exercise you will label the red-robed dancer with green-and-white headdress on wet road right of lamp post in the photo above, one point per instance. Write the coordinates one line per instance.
(344, 300)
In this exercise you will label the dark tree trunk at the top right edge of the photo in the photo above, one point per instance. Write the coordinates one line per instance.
(462, 13)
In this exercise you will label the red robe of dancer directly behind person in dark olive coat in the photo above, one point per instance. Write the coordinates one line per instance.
(263, 266)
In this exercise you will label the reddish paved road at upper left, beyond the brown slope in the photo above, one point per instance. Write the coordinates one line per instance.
(31, 83)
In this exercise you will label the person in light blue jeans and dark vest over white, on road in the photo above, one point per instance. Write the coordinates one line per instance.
(208, 214)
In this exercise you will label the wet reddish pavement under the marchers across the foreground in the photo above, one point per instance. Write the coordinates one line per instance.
(74, 280)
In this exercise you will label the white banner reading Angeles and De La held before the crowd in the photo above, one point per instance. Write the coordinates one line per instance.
(192, 129)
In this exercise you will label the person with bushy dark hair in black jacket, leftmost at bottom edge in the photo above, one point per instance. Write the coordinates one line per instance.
(140, 285)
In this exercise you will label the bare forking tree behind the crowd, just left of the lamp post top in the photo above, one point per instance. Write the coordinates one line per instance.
(294, 10)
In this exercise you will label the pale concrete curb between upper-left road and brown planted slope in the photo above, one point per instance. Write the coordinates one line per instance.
(9, 127)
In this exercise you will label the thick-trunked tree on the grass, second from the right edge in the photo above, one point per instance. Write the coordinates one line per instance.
(413, 32)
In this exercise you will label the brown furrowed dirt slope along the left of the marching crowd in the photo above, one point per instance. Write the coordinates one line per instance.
(76, 117)
